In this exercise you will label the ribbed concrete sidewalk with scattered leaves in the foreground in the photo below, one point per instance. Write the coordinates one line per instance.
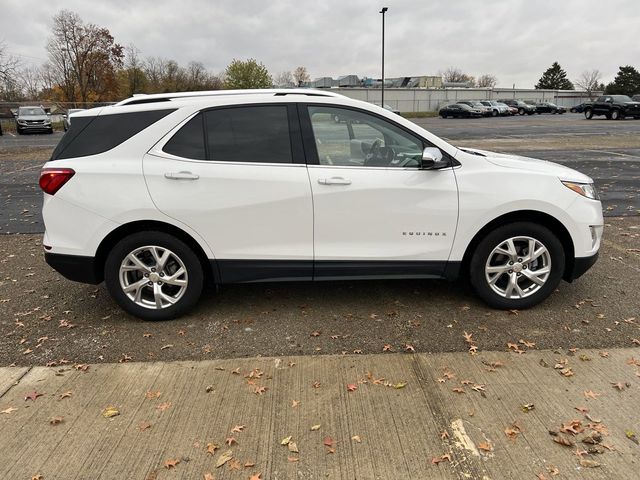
(388, 416)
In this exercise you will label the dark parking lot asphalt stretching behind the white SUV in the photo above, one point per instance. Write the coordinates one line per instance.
(608, 151)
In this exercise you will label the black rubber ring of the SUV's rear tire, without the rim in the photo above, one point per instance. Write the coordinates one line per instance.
(161, 239)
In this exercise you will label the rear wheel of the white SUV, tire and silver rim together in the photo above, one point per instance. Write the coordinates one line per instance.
(174, 299)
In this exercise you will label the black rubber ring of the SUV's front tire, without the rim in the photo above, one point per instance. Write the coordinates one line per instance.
(486, 245)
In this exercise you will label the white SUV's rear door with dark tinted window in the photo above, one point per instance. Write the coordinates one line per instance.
(237, 176)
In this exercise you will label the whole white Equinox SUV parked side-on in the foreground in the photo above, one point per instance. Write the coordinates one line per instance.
(160, 193)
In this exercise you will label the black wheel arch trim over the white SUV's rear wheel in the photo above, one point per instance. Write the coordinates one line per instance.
(210, 270)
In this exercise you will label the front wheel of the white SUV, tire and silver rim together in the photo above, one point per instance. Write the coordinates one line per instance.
(496, 290)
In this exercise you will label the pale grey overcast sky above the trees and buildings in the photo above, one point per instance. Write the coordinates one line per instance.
(515, 40)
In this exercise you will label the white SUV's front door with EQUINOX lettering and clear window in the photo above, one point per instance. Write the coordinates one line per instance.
(376, 213)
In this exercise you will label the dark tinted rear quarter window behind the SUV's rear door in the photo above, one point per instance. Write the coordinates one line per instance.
(94, 135)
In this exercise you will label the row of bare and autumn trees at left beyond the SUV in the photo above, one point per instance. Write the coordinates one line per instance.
(86, 65)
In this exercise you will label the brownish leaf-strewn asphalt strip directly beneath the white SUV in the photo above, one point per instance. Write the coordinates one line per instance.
(45, 319)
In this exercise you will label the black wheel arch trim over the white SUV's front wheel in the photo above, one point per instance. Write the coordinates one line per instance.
(534, 216)
